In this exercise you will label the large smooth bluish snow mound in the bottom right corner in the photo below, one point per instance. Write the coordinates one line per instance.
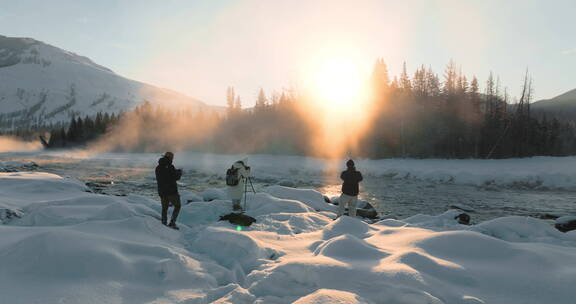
(506, 269)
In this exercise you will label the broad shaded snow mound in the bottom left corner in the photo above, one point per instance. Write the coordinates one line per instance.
(132, 268)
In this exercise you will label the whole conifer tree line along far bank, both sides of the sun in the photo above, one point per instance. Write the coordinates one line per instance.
(422, 115)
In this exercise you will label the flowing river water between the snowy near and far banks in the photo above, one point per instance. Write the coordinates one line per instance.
(123, 173)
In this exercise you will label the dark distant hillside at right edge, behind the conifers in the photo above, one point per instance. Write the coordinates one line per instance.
(562, 106)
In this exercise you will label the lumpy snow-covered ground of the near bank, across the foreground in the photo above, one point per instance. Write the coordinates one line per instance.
(63, 244)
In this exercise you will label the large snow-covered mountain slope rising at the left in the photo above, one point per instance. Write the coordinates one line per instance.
(41, 84)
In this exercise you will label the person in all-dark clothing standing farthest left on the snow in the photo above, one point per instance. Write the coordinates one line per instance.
(166, 177)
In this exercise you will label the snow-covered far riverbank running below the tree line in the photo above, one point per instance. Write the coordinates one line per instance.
(536, 172)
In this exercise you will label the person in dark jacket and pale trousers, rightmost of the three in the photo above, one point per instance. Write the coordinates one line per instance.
(350, 189)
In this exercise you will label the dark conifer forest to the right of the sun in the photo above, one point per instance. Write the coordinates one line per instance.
(423, 116)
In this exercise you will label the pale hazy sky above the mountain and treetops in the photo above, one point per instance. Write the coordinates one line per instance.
(201, 47)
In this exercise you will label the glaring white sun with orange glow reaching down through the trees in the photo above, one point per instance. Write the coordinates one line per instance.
(337, 103)
